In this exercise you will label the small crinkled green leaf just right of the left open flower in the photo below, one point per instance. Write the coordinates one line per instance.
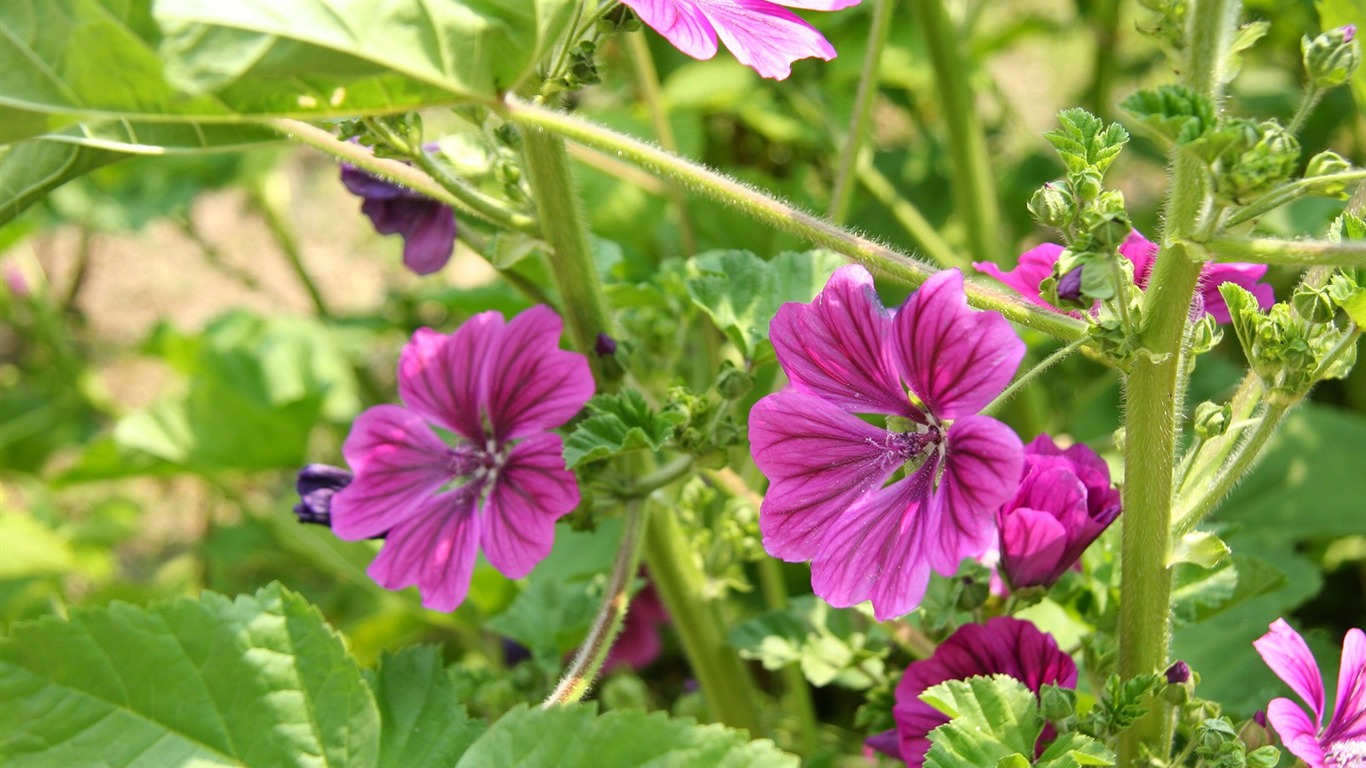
(621, 423)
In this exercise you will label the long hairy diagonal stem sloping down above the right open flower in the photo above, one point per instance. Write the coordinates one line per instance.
(785, 218)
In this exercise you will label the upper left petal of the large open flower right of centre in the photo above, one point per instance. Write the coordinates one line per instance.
(837, 346)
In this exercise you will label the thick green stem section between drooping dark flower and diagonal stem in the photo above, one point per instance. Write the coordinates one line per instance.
(572, 262)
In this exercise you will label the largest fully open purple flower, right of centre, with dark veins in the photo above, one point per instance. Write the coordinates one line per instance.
(830, 501)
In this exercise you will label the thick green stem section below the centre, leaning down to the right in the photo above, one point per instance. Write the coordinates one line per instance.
(726, 681)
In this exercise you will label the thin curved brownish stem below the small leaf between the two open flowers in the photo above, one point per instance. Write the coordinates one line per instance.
(611, 616)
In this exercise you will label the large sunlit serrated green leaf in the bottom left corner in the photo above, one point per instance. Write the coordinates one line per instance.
(256, 681)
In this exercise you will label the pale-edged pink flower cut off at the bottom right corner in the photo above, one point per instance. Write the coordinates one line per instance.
(1342, 744)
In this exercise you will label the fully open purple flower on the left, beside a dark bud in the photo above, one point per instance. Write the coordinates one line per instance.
(498, 387)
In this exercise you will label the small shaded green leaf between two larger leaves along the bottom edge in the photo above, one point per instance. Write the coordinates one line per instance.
(424, 724)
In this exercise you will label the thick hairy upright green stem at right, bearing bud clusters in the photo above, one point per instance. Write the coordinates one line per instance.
(1155, 397)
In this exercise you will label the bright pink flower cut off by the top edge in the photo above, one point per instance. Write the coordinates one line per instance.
(762, 35)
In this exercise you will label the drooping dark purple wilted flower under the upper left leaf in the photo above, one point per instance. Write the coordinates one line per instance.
(428, 228)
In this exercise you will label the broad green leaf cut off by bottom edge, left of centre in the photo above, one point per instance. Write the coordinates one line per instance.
(579, 737)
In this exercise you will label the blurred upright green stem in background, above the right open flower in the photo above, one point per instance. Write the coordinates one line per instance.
(973, 185)
